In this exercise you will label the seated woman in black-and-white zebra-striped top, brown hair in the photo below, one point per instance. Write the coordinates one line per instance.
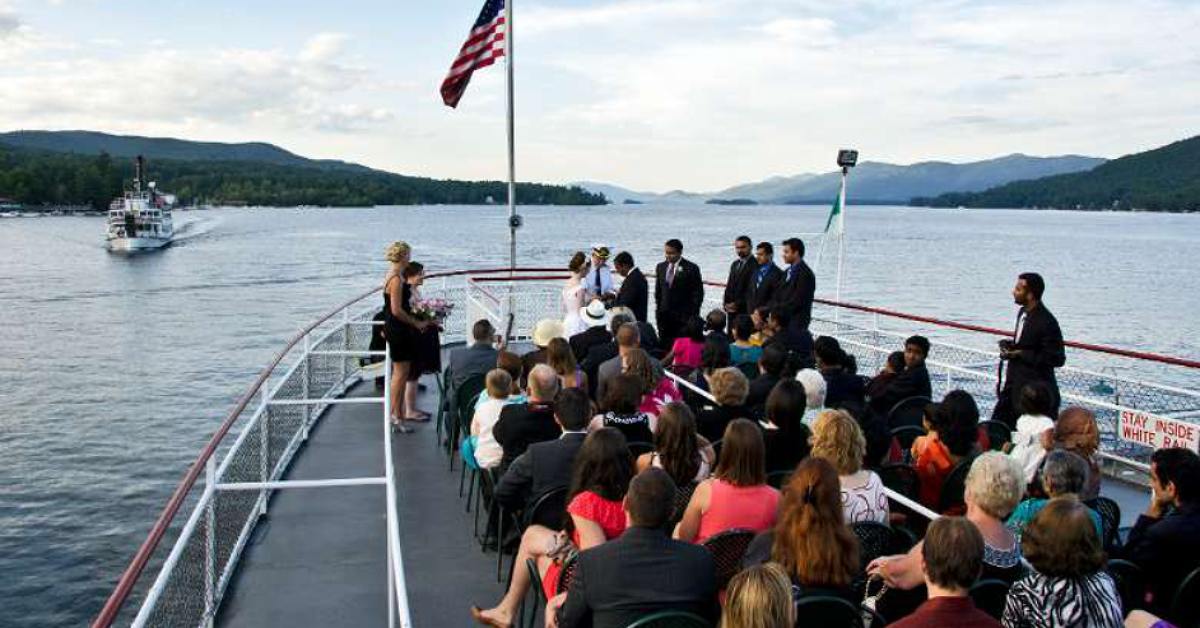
(1069, 585)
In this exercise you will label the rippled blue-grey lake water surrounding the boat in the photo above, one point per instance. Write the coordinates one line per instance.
(116, 370)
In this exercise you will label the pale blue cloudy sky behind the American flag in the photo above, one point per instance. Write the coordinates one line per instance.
(649, 94)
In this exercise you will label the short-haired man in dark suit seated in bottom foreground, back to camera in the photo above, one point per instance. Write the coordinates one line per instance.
(641, 572)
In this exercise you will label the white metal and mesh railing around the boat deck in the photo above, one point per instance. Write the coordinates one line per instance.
(248, 458)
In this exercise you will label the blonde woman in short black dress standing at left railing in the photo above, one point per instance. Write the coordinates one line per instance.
(400, 328)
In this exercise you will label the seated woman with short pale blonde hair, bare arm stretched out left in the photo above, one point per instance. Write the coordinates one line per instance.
(994, 488)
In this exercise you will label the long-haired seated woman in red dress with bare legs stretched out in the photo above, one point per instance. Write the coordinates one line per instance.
(602, 474)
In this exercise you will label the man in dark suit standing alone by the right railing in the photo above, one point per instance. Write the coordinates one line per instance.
(1035, 351)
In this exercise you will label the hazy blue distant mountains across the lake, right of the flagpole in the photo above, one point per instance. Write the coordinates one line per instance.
(873, 182)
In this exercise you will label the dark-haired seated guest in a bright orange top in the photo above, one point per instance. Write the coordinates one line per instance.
(953, 435)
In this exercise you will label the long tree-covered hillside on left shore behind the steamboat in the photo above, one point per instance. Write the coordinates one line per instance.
(89, 169)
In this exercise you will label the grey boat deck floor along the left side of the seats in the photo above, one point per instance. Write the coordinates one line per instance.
(320, 557)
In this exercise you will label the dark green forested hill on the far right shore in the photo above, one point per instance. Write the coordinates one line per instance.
(1163, 180)
